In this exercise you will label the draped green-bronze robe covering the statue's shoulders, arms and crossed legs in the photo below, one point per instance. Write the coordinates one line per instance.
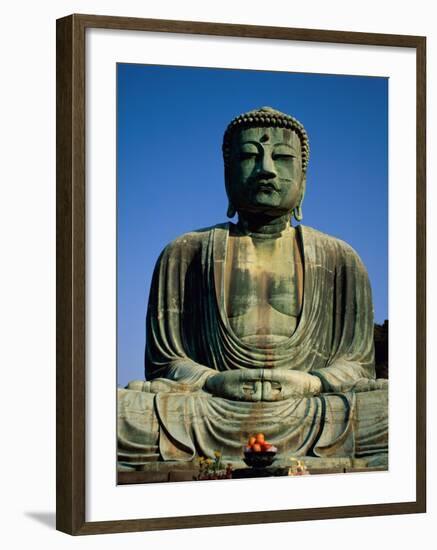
(189, 338)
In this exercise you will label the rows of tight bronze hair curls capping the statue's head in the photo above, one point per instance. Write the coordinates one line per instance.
(268, 117)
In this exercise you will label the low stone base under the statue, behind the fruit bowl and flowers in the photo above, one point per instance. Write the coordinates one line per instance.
(160, 472)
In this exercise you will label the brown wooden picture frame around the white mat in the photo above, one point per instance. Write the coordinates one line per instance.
(71, 275)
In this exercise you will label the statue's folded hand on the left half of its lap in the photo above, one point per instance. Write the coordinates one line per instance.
(237, 385)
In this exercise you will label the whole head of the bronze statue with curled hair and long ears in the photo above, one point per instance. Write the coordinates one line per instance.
(266, 154)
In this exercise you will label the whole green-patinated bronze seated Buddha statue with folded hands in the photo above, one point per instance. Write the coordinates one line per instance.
(259, 325)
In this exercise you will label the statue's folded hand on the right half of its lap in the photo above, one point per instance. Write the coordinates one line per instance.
(279, 384)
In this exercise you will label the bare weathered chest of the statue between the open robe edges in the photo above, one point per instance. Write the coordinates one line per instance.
(263, 282)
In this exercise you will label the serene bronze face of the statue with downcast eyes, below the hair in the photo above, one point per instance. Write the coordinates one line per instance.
(265, 172)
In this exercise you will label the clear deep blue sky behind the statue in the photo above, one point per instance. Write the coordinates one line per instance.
(170, 172)
